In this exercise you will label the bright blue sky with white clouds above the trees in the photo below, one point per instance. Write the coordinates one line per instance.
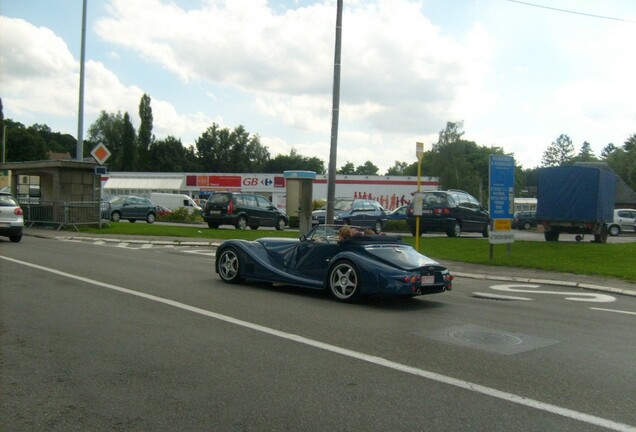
(517, 73)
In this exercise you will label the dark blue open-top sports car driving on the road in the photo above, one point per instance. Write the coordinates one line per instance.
(349, 269)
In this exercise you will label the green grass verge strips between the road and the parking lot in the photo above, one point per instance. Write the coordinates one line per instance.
(610, 260)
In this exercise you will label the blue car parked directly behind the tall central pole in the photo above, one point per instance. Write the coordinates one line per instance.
(365, 213)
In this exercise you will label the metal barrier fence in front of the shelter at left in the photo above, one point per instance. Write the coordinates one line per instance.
(63, 214)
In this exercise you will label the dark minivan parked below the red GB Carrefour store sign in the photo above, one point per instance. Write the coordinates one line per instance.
(243, 210)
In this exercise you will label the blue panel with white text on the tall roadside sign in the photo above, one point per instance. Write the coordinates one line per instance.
(502, 187)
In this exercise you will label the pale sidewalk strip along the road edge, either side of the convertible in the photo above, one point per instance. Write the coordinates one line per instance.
(459, 269)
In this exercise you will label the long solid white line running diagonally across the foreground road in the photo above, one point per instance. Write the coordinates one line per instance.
(379, 361)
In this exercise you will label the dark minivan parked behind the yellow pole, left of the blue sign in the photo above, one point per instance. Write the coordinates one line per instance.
(452, 211)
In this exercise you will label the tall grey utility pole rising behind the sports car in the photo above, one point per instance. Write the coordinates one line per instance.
(331, 178)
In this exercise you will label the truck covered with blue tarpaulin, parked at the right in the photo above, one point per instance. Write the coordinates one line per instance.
(575, 200)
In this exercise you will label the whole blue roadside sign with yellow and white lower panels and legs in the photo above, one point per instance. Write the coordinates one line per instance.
(501, 200)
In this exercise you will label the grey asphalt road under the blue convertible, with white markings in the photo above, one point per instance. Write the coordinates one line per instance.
(97, 336)
